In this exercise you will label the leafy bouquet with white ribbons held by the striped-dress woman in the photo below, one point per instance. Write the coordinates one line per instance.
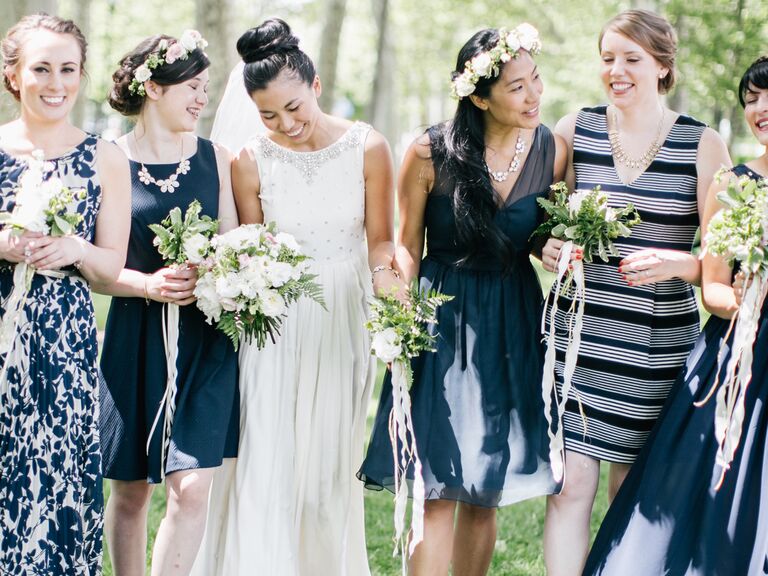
(581, 218)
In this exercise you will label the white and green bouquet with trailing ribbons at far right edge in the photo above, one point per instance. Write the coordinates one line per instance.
(739, 234)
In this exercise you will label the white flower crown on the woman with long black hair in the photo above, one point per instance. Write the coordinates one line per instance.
(486, 64)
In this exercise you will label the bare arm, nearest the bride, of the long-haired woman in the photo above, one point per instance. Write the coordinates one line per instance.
(416, 179)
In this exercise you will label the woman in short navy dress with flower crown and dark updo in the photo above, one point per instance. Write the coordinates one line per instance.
(163, 83)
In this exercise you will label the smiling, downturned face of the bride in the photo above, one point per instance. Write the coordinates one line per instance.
(288, 107)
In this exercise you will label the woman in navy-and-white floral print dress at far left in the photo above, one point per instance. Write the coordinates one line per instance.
(50, 479)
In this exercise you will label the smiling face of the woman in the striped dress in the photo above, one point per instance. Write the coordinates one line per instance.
(629, 73)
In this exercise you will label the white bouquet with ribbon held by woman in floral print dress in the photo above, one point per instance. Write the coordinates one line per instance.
(42, 204)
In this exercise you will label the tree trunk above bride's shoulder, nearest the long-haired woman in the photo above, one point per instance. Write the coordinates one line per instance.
(381, 113)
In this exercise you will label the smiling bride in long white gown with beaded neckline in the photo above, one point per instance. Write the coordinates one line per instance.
(290, 503)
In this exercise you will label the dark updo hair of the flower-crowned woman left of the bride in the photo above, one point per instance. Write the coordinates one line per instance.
(128, 103)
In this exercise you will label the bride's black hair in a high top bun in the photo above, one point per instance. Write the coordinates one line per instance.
(269, 49)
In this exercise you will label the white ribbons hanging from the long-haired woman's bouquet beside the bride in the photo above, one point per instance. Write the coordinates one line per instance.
(401, 433)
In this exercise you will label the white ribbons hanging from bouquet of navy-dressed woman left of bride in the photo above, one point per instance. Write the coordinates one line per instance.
(168, 401)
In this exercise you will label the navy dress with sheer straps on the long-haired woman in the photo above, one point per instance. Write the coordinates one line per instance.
(477, 406)
